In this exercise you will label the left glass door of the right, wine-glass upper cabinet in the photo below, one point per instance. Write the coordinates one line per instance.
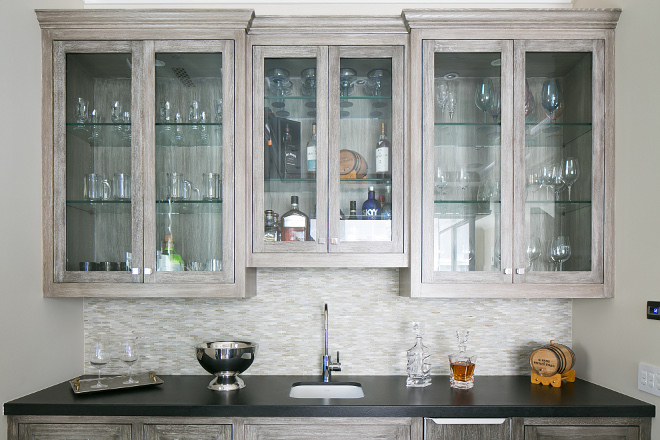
(467, 175)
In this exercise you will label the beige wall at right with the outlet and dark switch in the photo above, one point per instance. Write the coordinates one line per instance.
(611, 337)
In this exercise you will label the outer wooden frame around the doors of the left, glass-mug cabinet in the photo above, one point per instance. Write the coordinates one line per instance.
(144, 27)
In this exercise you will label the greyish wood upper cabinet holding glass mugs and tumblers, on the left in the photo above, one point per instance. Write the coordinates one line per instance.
(140, 152)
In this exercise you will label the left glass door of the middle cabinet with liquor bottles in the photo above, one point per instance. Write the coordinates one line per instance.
(290, 149)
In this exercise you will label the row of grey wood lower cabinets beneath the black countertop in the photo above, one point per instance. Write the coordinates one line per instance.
(329, 428)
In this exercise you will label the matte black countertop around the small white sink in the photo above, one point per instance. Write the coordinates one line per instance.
(385, 396)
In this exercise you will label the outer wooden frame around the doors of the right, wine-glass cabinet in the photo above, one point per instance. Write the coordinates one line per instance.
(527, 24)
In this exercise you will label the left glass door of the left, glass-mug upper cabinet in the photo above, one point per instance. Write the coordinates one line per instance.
(97, 181)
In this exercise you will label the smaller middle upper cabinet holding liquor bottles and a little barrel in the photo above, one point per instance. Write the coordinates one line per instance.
(328, 144)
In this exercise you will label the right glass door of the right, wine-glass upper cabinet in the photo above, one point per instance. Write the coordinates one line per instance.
(559, 162)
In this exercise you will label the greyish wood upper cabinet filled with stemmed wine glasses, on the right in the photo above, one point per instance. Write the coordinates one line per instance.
(515, 193)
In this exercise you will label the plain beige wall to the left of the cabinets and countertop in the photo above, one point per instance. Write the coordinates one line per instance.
(41, 339)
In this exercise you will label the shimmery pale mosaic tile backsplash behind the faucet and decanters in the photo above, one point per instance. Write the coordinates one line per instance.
(370, 325)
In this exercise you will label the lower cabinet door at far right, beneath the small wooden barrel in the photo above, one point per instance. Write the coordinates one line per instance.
(579, 432)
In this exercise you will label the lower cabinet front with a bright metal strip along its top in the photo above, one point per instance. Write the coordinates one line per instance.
(474, 429)
